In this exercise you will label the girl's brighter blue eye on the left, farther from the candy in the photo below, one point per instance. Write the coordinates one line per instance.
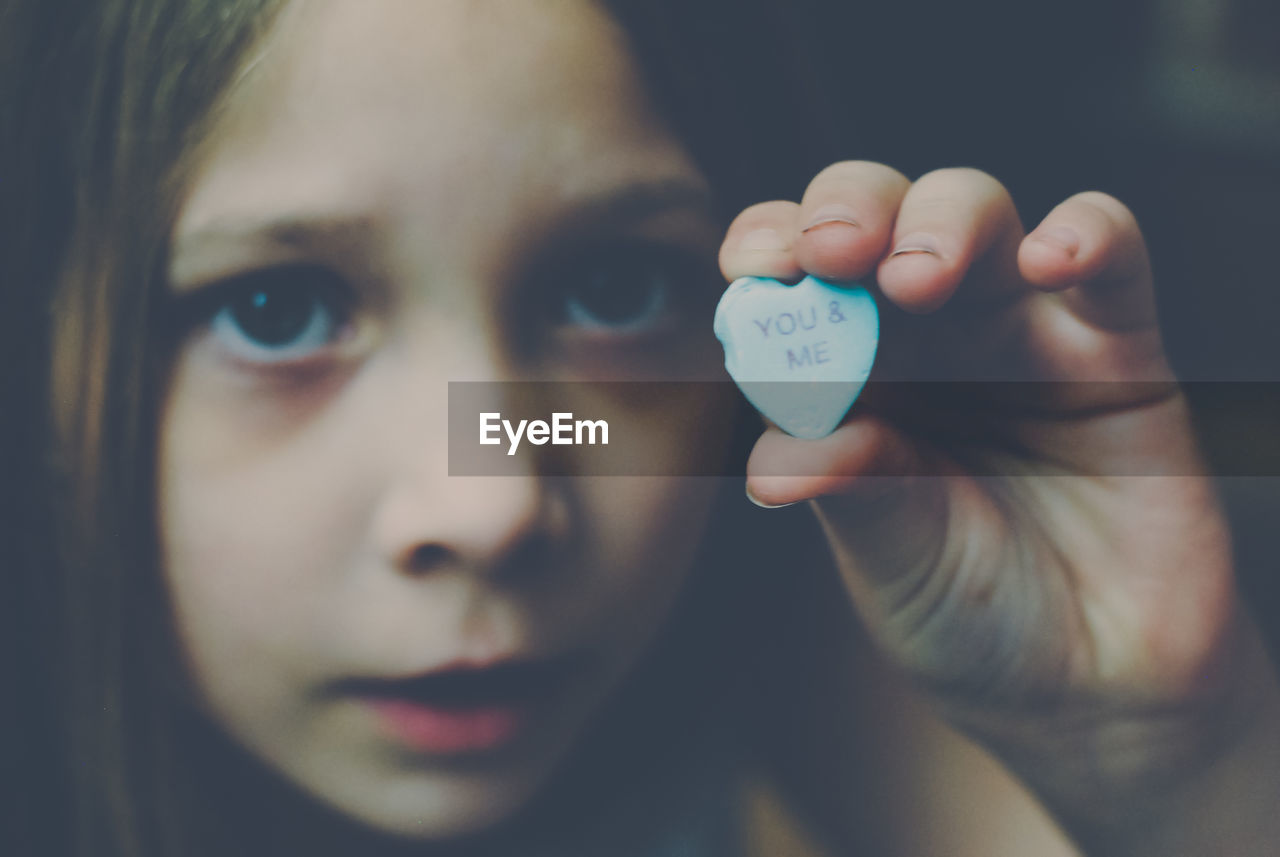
(278, 315)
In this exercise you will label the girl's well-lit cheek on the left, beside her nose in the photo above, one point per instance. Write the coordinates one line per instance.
(254, 534)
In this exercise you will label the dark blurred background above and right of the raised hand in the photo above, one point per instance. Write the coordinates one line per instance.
(1173, 107)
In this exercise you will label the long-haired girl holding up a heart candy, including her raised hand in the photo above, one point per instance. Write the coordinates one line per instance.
(272, 233)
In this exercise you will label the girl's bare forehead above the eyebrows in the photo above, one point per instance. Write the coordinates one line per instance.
(404, 102)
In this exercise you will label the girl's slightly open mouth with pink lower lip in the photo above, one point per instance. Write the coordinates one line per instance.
(463, 711)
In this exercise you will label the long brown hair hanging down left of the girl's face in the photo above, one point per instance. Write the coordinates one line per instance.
(106, 98)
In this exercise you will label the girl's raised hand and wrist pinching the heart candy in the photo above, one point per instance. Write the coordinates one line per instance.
(1050, 561)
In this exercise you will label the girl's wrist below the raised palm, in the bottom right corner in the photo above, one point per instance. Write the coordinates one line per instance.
(1195, 778)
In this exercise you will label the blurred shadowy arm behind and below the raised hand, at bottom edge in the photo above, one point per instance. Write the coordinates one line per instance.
(856, 758)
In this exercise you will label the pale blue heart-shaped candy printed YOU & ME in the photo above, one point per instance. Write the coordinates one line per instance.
(801, 354)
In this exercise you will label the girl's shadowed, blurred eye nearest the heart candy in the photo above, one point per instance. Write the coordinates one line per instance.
(625, 291)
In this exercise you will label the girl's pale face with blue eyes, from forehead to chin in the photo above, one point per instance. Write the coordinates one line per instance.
(400, 195)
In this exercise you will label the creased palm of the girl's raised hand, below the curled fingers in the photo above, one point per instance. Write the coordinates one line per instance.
(1026, 557)
